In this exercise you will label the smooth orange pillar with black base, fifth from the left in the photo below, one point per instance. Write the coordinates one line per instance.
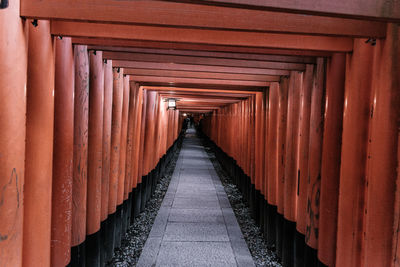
(95, 157)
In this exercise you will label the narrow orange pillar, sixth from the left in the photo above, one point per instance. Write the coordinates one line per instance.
(107, 118)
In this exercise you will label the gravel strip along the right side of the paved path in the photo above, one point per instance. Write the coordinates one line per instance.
(262, 256)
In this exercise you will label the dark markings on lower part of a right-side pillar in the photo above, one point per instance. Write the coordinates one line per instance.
(313, 210)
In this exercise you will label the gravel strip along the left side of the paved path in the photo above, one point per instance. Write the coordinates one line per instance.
(135, 238)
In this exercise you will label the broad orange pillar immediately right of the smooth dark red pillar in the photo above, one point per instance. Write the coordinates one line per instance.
(356, 117)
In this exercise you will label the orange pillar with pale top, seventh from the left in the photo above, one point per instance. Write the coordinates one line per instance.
(115, 138)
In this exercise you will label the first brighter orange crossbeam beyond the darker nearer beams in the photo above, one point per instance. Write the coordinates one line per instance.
(202, 75)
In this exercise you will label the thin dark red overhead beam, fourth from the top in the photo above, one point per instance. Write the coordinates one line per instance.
(197, 47)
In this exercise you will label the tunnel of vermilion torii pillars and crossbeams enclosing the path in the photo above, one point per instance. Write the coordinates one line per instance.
(300, 100)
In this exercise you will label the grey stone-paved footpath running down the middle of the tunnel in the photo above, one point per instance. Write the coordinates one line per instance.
(195, 225)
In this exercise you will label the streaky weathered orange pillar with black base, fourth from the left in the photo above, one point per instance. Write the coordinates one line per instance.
(79, 187)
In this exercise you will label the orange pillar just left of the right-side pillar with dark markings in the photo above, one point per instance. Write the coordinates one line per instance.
(305, 110)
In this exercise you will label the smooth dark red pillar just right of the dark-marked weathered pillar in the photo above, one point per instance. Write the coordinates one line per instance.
(331, 148)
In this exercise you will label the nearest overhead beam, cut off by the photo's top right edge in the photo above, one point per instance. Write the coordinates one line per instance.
(388, 10)
